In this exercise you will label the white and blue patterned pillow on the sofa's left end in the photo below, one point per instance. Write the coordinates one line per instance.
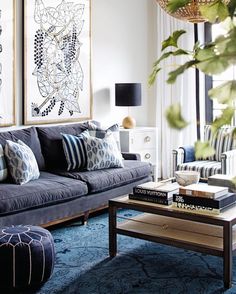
(22, 164)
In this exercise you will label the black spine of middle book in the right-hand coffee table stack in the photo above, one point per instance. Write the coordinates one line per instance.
(199, 201)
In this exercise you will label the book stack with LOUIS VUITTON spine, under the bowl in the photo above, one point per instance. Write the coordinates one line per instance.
(155, 192)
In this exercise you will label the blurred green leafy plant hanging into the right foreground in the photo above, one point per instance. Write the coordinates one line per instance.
(210, 58)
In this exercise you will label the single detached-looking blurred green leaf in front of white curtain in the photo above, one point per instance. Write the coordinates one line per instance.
(175, 118)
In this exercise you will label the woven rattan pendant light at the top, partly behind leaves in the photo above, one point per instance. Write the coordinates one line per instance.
(190, 12)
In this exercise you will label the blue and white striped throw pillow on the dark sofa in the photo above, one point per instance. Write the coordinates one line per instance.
(74, 150)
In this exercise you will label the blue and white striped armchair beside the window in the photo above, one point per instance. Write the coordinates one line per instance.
(223, 162)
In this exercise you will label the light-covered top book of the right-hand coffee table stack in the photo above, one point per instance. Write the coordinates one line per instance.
(203, 190)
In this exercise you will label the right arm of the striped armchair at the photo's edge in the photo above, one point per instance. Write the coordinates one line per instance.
(228, 162)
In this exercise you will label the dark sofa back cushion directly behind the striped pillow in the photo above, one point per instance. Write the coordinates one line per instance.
(51, 142)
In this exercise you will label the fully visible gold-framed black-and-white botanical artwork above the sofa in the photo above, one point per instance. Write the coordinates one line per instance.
(57, 77)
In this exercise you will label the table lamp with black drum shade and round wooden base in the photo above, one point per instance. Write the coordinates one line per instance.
(128, 94)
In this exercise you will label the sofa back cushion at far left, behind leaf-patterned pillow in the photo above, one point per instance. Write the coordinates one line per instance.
(30, 137)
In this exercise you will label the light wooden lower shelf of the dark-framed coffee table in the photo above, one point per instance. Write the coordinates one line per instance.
(180, 233)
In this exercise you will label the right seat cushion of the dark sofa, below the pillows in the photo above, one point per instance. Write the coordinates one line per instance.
(102, 180)
